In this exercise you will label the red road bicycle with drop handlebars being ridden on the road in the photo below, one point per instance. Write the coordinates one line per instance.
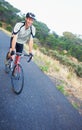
(15, 69)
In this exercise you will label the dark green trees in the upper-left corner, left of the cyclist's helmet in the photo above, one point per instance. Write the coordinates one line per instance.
(8, 13)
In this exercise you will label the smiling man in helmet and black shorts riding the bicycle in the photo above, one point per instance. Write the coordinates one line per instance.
(23, 32)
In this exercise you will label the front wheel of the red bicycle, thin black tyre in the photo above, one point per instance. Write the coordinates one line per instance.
(17, 79)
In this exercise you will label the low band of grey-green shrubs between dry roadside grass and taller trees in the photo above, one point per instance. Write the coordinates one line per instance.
(64, 60)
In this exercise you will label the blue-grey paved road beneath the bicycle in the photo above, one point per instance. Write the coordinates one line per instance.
(39, 107)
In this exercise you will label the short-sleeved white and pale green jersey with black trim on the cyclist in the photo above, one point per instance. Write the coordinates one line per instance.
(23, 35)
